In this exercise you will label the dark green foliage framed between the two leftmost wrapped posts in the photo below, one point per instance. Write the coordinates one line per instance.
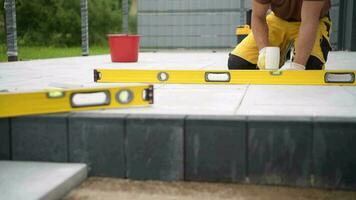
(46, 22)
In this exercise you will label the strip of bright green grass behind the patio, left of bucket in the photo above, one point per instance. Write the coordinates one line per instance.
(33, 53)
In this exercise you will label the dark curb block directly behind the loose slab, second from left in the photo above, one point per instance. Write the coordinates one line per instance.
(40, 138)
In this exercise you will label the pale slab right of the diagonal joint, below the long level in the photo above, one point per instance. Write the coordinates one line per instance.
(299, 101)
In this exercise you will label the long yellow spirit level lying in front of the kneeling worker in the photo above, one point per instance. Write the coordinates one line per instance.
(260, 77)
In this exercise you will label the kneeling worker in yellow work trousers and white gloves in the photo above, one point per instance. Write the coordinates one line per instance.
(305, 24)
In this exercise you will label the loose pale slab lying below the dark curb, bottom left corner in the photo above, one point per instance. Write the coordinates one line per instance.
(39, 180)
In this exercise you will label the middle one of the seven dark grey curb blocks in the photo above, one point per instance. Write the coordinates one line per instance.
(154, 147)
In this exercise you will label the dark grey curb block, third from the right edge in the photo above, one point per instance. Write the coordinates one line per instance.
(215, 149)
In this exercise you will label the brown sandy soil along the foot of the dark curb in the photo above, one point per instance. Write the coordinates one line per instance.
(109, 188)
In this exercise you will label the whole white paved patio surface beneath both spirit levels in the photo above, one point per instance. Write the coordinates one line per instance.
(191, 99)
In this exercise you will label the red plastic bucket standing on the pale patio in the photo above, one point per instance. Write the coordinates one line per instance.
(124, 48)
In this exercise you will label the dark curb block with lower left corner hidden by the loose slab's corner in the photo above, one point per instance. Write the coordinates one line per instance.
(98, 140)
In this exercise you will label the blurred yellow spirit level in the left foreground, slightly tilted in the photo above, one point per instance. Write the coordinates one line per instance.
(57, 100)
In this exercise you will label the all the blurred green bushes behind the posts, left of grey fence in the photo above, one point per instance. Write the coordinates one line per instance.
(58, 22)
